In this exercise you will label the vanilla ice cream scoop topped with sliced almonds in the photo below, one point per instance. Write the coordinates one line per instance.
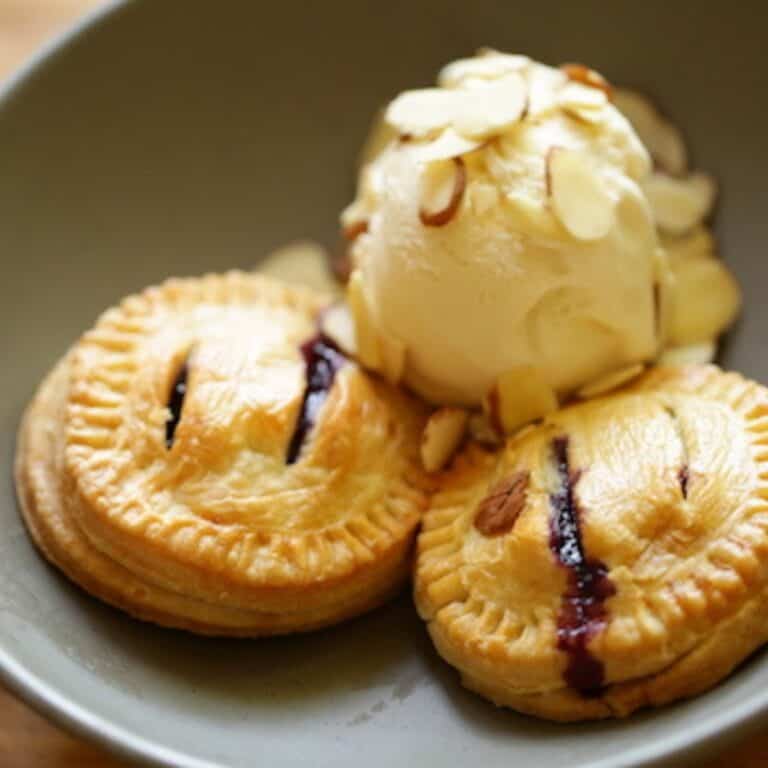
(502, 235)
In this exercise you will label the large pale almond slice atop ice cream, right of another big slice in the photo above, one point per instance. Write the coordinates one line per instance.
(491, 109)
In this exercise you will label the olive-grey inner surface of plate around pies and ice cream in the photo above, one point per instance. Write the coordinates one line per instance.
(179, 136)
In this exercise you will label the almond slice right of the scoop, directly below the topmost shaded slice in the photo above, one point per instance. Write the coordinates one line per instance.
(680, 205)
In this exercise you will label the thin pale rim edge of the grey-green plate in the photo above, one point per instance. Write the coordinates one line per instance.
(717, 729)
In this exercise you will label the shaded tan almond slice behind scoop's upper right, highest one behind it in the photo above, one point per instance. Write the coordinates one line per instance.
(661, 137)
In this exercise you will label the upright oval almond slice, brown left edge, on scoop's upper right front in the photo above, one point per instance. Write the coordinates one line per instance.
(579, 197)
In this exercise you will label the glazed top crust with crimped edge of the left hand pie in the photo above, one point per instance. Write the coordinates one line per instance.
(208, 422)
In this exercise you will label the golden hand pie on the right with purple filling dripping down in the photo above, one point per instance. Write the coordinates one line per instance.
(613, 557)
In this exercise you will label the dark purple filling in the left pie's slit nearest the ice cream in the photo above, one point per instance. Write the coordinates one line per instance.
(323, 360)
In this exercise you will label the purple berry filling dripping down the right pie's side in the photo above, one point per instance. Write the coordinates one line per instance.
(582, 612)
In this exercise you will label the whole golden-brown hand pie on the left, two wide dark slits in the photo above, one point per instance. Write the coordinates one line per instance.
(203, 459)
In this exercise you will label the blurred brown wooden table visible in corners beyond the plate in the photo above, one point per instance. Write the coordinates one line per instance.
(26, 740)
